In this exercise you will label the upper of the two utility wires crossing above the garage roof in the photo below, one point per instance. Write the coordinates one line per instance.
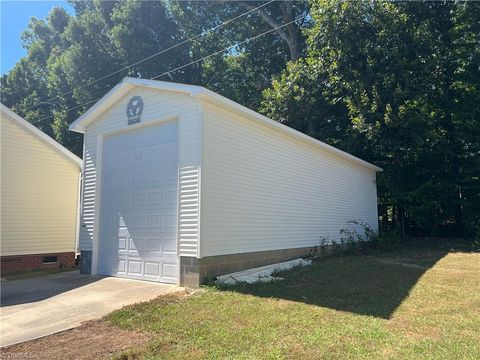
(154, 55)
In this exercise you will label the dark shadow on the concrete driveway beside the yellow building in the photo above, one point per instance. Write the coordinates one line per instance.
(25, 291)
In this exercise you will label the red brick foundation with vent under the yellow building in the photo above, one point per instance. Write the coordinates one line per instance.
(18, 263)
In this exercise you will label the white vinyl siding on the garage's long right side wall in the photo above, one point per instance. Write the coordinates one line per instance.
(265, 190)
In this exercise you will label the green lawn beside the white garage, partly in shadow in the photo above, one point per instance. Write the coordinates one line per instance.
(414, 303)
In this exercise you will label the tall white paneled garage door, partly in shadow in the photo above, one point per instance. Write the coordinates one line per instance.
(138, 208)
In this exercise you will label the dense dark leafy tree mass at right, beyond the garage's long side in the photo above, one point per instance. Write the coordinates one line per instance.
(396, 83)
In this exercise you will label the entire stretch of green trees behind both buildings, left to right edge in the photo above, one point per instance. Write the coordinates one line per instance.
(396, 83)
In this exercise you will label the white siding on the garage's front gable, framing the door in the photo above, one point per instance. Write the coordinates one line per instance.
(158, 105)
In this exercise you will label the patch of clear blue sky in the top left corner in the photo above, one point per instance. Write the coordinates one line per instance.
(15, 16)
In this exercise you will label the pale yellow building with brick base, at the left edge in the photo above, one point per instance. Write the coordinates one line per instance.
(40, 183)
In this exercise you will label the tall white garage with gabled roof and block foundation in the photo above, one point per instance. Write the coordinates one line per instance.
(182, 184)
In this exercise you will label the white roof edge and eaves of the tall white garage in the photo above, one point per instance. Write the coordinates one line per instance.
(199, 92)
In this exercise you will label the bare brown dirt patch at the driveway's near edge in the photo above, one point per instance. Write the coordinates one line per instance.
(93, 340)
